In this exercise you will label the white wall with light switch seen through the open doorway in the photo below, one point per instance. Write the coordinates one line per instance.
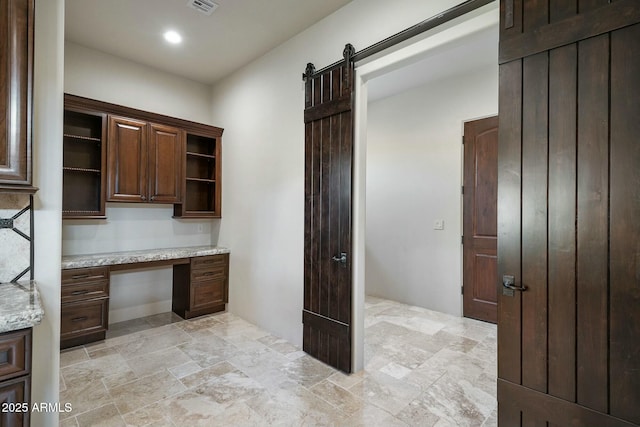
(414, 174)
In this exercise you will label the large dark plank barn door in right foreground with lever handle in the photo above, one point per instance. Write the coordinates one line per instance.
(569, 213)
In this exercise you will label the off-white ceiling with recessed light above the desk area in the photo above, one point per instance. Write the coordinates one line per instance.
(237, 32)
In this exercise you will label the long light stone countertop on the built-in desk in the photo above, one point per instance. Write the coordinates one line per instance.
(139, 256)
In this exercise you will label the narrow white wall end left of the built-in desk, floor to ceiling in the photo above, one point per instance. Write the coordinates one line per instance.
(47, 175)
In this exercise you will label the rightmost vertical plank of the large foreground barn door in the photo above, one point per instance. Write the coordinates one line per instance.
(624, 351)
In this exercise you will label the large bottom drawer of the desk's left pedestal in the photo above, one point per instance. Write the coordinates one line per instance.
(80, 318)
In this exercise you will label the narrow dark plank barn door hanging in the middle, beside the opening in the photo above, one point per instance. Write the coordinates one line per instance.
(328, 118)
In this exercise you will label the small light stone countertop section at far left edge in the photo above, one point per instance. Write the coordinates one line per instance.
(20, 306)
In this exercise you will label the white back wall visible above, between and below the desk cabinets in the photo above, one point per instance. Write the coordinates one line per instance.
(96, 75)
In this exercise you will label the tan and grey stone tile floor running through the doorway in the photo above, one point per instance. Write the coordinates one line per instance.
(423, 368)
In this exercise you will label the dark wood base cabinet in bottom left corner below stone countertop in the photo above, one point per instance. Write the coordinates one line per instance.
(15, 377)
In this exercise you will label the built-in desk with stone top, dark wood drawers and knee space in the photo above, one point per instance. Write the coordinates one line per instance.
(200, 286)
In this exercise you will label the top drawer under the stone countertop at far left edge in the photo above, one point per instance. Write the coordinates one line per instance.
(15, 354)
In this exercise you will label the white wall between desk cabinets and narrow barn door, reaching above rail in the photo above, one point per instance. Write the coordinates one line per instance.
(261, 109)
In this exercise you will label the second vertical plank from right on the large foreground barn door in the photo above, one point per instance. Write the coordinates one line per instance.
(592, 223)
